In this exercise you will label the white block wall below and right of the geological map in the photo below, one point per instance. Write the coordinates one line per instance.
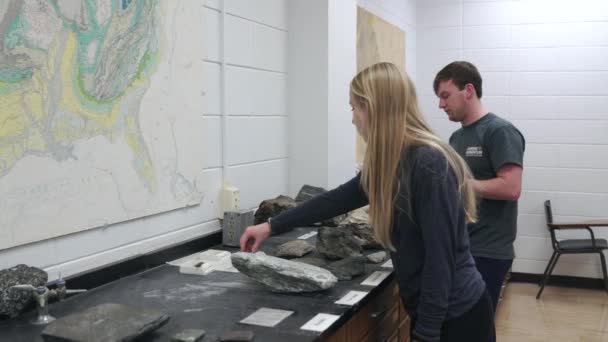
(255, 151)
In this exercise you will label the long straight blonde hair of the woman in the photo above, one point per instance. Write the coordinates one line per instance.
(394, 123)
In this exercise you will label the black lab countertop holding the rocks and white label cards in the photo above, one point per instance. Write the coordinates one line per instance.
(215, 302)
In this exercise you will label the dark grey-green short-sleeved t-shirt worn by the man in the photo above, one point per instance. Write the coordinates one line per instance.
(486, 145)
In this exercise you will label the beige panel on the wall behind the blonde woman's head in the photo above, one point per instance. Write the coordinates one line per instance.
(377, 41)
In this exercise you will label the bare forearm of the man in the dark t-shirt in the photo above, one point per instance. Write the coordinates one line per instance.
(506, 186)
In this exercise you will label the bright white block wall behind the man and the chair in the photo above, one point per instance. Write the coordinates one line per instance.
(545, 68)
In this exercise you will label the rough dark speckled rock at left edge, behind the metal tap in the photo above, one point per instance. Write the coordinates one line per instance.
(13, 301)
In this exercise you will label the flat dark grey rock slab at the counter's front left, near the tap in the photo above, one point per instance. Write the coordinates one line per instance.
(105, 322)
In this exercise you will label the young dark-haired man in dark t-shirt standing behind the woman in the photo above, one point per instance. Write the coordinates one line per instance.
(494, 149)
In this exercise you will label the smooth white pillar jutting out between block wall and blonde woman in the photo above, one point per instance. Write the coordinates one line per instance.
(322, 61)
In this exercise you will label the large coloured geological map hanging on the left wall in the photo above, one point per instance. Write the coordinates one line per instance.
(100, 113)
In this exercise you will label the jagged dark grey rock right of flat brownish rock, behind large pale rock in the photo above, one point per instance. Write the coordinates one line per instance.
(337, 243)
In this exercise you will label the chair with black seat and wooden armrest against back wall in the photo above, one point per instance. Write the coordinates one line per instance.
(571, 246)
